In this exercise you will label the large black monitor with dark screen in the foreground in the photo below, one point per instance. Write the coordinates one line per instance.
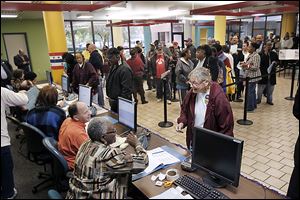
(218, 154)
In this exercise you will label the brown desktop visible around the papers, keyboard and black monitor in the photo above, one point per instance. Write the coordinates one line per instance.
(247, 189)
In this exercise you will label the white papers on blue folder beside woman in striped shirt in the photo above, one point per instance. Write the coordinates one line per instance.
(159, 158)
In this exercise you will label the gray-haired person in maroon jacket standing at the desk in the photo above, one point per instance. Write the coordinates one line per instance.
(205, 105)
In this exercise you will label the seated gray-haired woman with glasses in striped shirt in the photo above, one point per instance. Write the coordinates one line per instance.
(97, 162)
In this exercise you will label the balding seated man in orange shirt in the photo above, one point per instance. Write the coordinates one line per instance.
(72, 132)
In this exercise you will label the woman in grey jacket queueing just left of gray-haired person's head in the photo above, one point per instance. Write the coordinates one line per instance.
(183, 67)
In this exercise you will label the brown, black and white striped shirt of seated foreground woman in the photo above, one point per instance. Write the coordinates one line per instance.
(94, 175)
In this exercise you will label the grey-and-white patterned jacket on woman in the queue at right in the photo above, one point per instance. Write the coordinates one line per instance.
(254, 63)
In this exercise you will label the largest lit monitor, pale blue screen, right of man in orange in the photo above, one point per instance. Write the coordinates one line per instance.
(127, 113)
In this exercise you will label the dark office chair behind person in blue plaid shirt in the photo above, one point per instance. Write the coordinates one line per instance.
(36, 152)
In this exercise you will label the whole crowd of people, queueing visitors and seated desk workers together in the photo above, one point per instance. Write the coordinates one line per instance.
(200, 76)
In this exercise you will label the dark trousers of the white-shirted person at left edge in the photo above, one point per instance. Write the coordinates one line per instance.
(7, 176)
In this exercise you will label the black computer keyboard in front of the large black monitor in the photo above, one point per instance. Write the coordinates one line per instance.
(198, 189)
